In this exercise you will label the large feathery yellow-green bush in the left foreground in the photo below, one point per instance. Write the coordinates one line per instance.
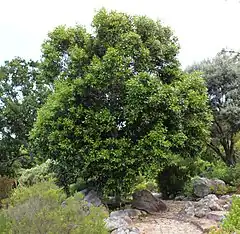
(43, 208)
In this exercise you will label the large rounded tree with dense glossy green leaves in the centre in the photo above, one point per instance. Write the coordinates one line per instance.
(121, 105)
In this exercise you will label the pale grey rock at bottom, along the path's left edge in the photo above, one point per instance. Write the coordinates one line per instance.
(113, 223)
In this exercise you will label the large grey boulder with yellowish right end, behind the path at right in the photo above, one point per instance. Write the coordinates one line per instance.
(204, 186)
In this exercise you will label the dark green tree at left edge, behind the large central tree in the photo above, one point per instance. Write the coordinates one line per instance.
(21, 92)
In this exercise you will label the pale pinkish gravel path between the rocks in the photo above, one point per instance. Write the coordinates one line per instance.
(170, 222)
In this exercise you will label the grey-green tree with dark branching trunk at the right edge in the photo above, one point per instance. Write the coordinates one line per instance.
(222, 75)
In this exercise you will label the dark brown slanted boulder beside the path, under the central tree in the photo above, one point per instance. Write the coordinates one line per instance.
(144, 200)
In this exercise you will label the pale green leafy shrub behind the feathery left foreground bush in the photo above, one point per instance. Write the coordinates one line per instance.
(36, 174)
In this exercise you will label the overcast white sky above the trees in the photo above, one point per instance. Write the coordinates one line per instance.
(203, 27)
